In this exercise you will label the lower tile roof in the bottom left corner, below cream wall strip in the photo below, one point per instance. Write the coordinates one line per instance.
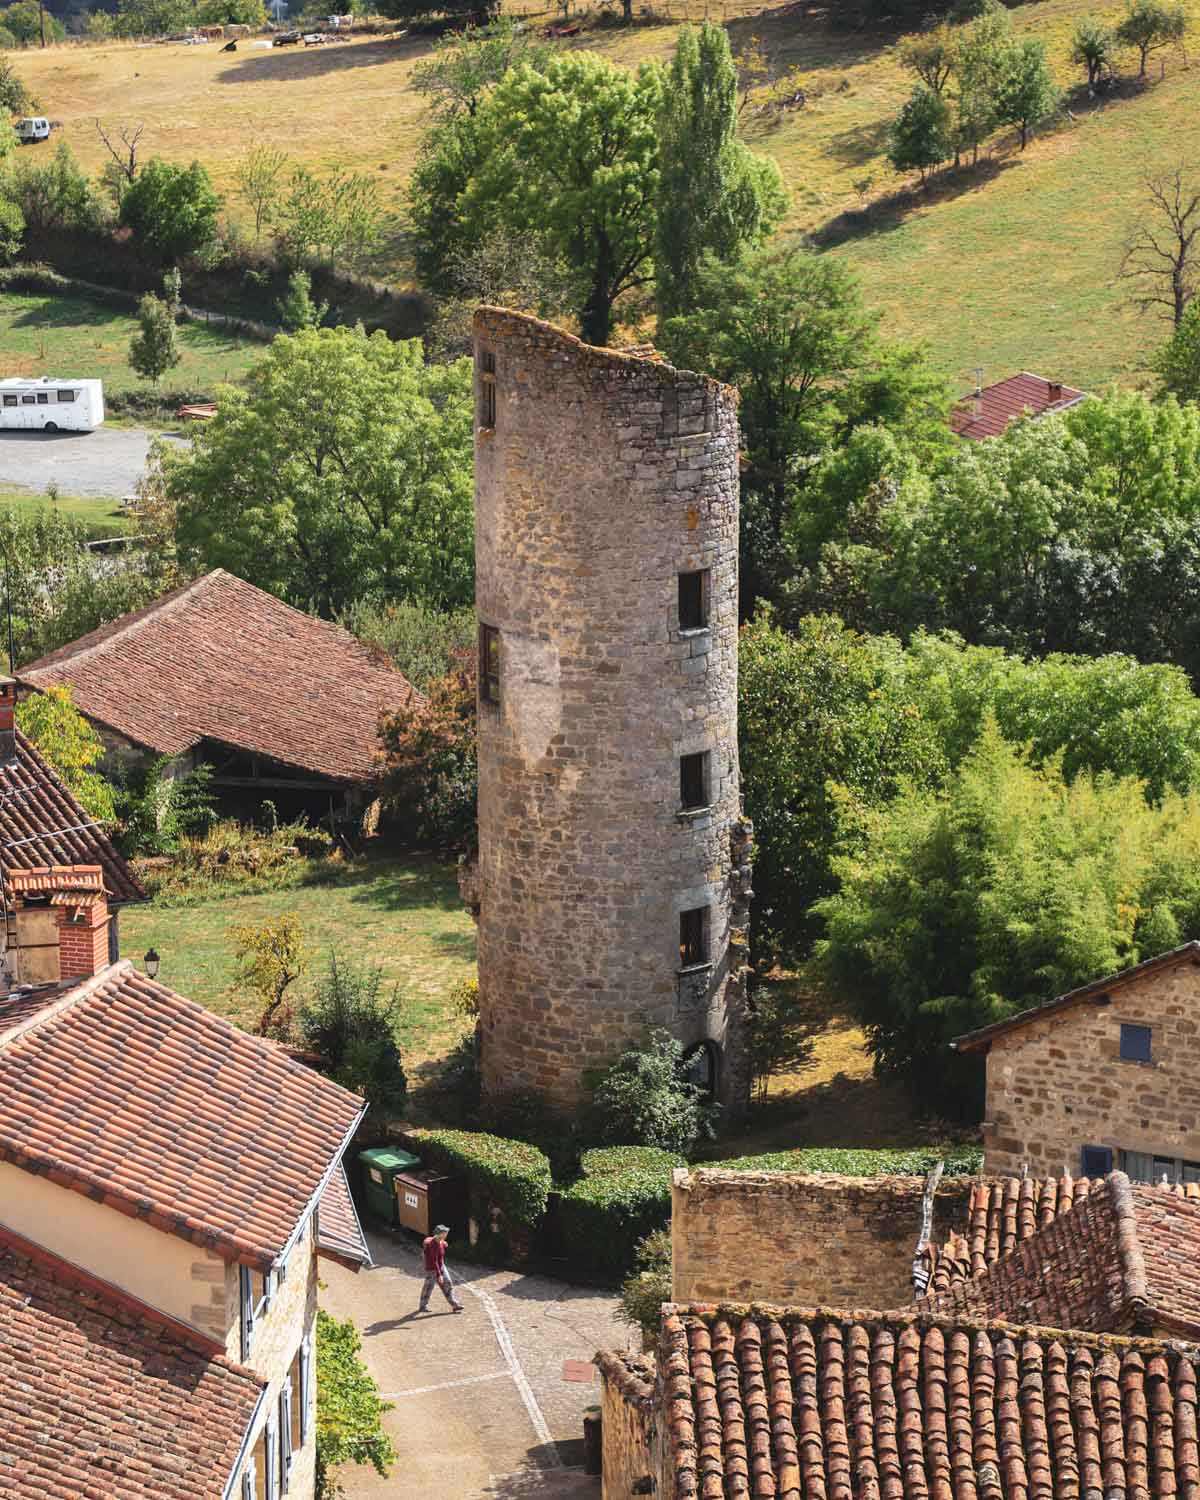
(103, 1399)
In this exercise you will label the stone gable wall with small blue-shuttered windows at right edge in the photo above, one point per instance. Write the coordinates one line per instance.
(1060, 1084)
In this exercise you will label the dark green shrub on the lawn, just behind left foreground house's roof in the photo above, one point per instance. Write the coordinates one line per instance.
(352, 1025)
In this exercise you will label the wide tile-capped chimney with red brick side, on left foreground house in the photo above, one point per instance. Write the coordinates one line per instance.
(62, 923)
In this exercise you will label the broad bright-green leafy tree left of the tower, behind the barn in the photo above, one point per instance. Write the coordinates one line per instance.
(340, 472)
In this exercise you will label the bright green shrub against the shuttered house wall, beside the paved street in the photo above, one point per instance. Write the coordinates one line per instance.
(349, 1408)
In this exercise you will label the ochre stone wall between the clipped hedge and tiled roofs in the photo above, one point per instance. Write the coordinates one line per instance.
(808, 1240)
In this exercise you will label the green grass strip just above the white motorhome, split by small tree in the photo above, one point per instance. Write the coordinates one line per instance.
(71, 337)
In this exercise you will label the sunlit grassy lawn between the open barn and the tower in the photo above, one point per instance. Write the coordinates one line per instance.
(401, 913)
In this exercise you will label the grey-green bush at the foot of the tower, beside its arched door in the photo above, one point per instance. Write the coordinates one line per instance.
(646, 1099)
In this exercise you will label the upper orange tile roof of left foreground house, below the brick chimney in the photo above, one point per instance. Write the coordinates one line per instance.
(146, 1102)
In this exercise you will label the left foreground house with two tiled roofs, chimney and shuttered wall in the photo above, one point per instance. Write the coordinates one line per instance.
(167, 1184)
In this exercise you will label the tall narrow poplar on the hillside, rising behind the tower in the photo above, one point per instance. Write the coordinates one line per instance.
(715, 196)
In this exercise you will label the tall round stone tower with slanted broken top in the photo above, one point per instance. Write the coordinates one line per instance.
(613, 878)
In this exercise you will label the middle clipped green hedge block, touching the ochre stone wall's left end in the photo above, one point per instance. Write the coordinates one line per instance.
(623, 1195)
